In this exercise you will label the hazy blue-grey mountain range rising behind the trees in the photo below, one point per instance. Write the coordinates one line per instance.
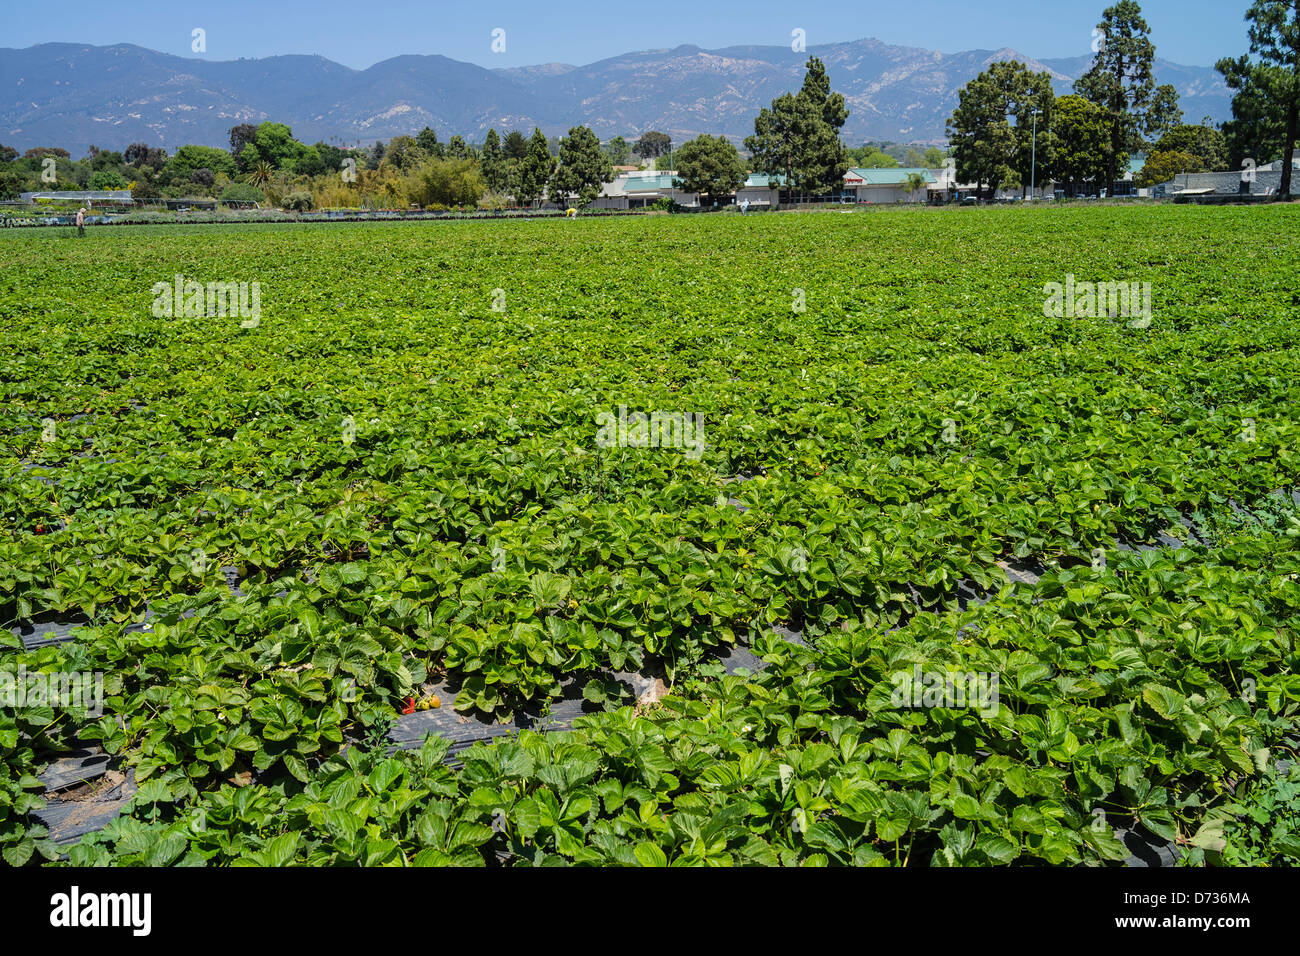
(73, 96)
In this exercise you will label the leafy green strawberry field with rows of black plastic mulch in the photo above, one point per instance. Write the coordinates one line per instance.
(296, 543)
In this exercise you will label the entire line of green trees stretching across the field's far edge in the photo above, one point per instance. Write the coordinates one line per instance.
(1009, 129)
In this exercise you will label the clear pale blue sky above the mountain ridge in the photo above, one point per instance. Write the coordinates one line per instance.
(580, 32)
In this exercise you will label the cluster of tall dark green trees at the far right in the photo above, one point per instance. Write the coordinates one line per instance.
(1011, 129)
